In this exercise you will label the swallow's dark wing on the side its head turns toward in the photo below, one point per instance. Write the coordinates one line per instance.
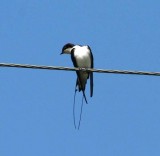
(78, 74)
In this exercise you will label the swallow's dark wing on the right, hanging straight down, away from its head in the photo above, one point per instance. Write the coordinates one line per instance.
(91, 73)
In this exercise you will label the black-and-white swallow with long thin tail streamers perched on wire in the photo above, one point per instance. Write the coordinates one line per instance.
(81, 57)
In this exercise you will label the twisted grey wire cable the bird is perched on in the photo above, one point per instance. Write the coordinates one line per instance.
(79, 69)
